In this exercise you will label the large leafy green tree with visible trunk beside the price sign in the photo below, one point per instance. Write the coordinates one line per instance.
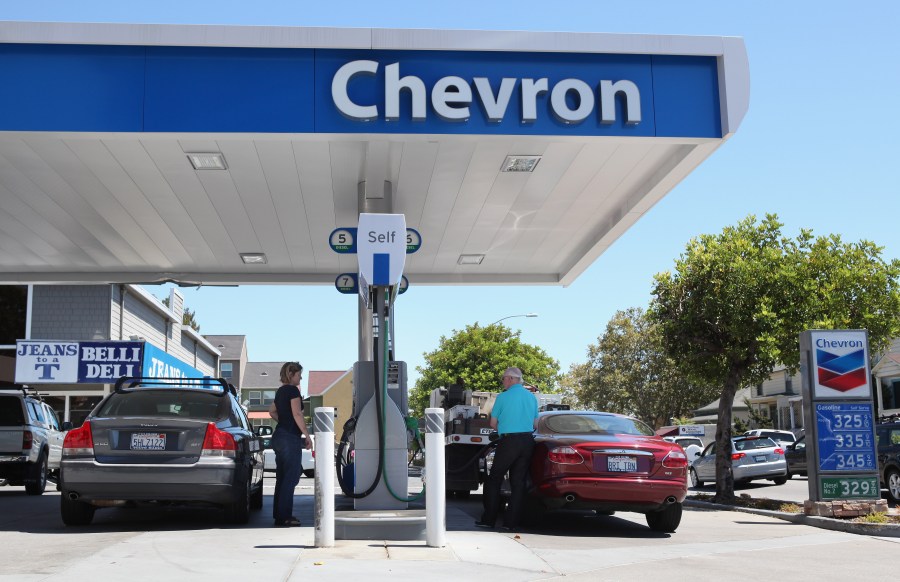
(736, 303)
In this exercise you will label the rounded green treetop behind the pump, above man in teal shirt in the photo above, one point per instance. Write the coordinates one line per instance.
(477, 356)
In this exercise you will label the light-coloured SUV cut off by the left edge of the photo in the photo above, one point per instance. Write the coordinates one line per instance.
(31, 441)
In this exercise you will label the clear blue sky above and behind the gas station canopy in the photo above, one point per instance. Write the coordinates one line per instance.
(819, 148)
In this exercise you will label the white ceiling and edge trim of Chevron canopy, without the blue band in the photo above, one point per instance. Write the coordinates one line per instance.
(129, 207)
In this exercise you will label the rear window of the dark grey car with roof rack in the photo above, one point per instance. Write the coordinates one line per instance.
(165, 402)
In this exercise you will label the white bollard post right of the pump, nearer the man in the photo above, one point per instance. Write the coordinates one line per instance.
(435, 495)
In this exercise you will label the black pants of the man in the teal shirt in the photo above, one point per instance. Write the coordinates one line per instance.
(513, 454)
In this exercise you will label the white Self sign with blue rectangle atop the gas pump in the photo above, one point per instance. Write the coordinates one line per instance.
(381, 248)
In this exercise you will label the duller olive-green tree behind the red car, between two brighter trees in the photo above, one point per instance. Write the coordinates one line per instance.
(629, 372)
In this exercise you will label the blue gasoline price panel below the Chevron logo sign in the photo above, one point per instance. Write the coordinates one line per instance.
(846, 441)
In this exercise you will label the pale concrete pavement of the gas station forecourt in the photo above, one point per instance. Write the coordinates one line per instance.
(179, 544)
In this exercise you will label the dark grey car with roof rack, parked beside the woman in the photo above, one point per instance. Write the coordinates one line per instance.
(163, 441)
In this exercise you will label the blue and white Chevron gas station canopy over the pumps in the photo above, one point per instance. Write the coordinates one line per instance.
(227, 154)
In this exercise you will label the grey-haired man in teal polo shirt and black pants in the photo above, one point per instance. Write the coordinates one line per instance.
(514, 416)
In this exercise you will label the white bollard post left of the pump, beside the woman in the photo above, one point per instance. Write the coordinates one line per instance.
(323, 426)
